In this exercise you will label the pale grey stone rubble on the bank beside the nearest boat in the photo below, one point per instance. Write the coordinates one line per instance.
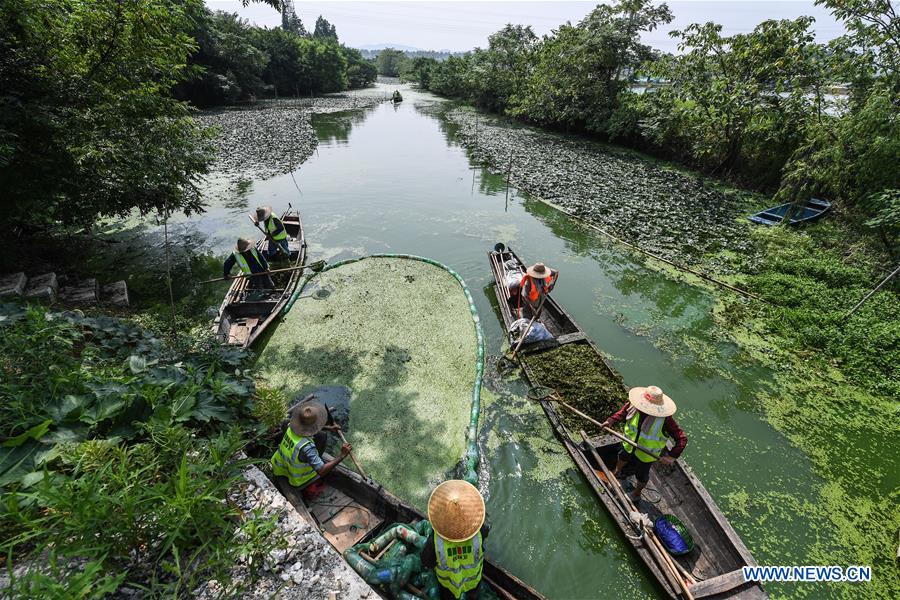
(301, 565)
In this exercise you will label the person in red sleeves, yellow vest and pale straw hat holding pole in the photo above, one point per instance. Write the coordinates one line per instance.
(648, 421)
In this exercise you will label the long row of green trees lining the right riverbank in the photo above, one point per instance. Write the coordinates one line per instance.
(770, 108)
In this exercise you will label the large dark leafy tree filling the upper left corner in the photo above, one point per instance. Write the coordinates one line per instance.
(89, 128)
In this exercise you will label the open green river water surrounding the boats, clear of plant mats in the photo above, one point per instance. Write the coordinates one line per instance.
(392, 179)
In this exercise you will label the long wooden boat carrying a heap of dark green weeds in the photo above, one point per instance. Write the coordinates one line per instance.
(719, 554)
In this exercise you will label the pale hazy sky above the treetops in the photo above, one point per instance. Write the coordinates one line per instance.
(465, 25)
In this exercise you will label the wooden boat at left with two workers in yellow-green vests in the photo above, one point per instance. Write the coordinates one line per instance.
(244, 313)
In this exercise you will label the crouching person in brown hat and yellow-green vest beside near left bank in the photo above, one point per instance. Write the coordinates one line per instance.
(299, 456)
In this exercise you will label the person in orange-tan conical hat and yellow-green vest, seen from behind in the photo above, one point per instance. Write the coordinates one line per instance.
(455, 549)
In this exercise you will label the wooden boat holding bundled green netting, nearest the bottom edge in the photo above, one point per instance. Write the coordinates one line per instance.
(352, 510)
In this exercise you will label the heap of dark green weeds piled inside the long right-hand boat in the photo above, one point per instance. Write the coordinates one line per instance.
(581, 379)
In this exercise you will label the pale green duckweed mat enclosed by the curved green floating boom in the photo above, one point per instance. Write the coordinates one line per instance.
(399, 333)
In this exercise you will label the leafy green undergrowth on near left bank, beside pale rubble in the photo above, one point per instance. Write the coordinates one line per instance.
(117, 454)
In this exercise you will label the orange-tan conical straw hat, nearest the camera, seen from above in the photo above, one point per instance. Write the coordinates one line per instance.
(456, 510)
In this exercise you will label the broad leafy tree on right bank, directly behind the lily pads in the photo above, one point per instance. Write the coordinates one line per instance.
(737, 104)
